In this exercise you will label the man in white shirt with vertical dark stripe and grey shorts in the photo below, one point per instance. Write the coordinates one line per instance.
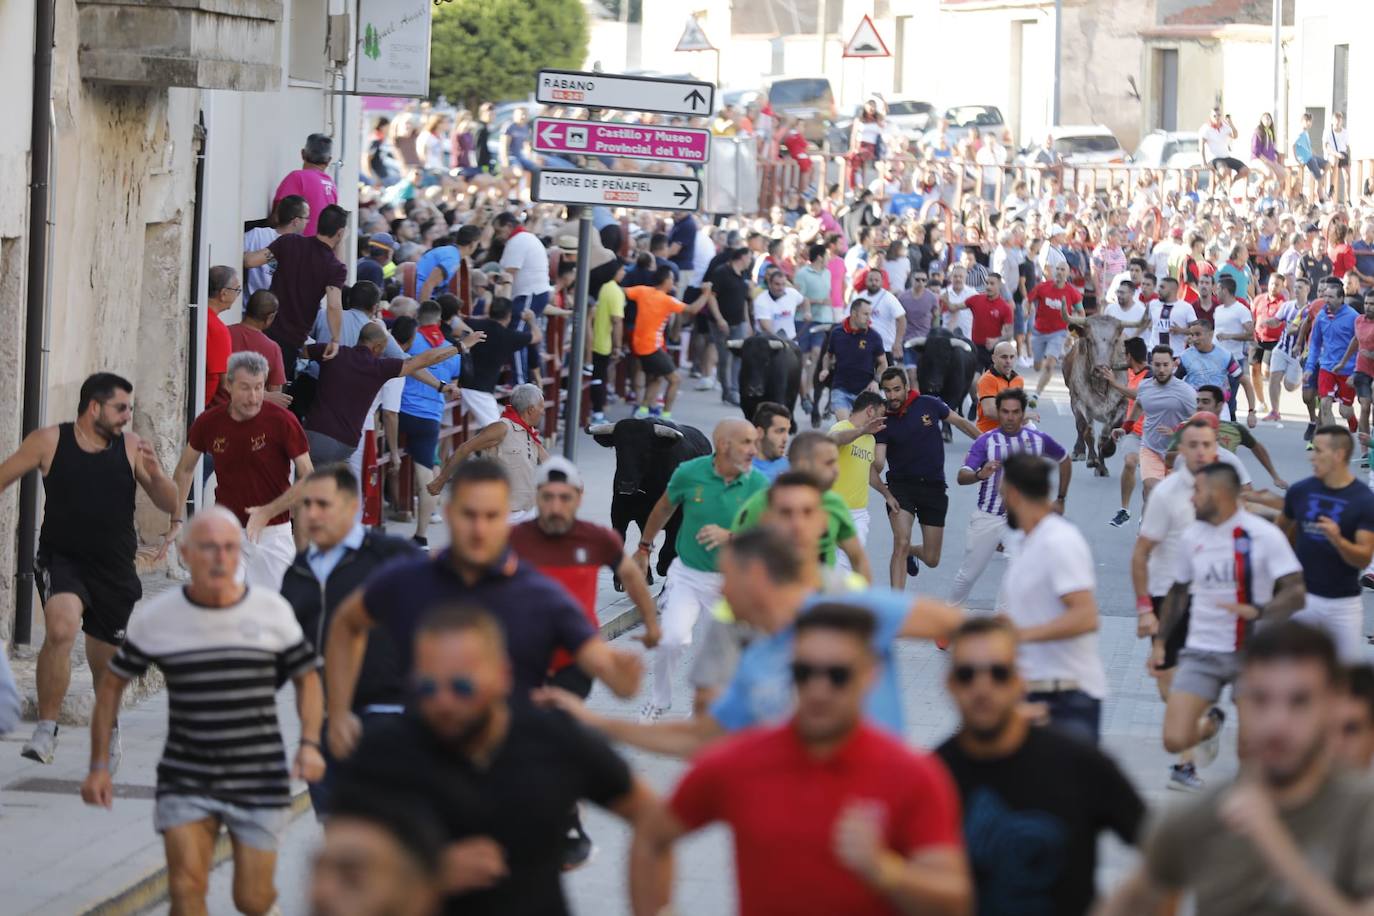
(1230, 571)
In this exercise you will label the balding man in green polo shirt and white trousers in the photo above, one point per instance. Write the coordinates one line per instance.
(711, 490)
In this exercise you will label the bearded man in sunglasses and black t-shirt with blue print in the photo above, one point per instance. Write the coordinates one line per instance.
(1034, 800)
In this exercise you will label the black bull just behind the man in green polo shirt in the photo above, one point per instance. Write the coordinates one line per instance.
(648, 453)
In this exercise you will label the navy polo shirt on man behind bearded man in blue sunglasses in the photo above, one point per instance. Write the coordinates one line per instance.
(537, 613)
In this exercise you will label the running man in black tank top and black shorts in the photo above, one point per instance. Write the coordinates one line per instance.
(86, 571)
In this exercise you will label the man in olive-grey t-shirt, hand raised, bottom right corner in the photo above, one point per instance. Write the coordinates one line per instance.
(1292, 834)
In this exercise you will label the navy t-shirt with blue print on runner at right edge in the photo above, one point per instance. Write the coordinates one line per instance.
(1351, 507)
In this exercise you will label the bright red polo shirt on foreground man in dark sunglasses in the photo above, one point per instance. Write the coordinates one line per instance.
(782, 807)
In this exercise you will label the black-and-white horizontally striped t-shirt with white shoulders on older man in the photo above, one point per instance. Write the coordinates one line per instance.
(223, 668)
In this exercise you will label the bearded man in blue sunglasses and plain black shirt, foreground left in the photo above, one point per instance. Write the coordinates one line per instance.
(499, 774)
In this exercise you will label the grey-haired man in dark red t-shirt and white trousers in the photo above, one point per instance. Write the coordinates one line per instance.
(255, 446)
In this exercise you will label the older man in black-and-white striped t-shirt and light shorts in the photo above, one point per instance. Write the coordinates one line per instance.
(215, 771)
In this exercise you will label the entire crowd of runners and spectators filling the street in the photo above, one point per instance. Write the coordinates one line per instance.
(444, 731)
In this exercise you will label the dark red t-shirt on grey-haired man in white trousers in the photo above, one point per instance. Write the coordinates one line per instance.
(252, 458)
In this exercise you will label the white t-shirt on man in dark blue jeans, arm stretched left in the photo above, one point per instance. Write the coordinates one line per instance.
(1055, 561)
